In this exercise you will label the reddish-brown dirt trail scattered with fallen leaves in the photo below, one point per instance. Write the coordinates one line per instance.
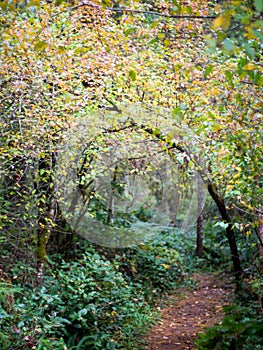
(191, 312)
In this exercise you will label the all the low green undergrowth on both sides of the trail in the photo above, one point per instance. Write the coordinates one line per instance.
(102, 299)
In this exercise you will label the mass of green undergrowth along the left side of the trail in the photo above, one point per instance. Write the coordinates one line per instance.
(99, 300)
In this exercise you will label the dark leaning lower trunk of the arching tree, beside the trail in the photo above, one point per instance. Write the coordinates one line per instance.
(230, 234)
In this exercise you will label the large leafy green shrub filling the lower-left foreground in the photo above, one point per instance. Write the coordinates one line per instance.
(84, 305)
